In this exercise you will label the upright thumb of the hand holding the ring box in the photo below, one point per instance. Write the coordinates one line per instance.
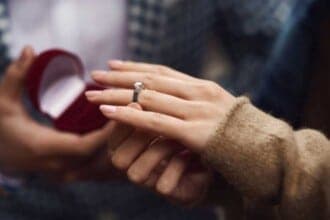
(13, 81)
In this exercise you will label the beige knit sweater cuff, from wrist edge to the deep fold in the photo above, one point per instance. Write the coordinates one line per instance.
(244, 150)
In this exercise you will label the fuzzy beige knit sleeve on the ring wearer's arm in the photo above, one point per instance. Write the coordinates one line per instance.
(266, 161)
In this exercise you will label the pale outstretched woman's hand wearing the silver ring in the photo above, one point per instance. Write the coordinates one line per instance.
(176, 105)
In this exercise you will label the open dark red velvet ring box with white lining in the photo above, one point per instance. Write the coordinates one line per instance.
(56, 86)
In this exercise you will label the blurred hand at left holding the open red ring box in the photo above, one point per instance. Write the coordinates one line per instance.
(25, 145)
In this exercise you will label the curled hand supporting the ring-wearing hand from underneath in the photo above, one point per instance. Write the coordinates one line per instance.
(162, 166)
